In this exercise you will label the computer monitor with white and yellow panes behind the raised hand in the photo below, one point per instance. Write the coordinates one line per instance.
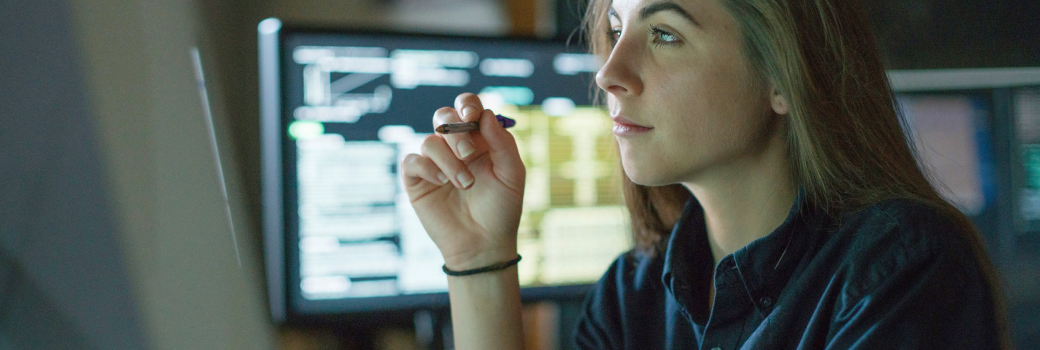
(341, 110)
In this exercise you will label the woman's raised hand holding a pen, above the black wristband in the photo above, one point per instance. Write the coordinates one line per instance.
(467, 189)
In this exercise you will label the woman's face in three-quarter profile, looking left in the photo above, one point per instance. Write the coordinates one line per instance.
(686, 102)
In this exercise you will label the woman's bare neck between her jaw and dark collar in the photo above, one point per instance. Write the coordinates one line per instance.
(747, 200)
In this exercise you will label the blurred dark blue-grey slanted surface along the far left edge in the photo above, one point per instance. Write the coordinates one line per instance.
(64, 282)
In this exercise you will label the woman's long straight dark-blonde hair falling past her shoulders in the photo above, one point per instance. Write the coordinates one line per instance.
(846, 140)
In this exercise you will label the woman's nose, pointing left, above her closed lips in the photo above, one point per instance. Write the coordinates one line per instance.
(619, 76)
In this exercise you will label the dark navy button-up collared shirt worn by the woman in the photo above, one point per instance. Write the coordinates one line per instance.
(898, 275)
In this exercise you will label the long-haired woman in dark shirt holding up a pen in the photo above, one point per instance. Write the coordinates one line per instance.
(776, 203)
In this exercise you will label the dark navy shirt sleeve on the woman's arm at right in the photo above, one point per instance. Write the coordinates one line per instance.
(917, 300)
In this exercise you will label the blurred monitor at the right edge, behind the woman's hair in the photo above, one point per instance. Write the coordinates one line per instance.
(978, 138)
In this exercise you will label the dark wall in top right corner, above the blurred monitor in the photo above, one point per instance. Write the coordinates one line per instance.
(957, 34)
